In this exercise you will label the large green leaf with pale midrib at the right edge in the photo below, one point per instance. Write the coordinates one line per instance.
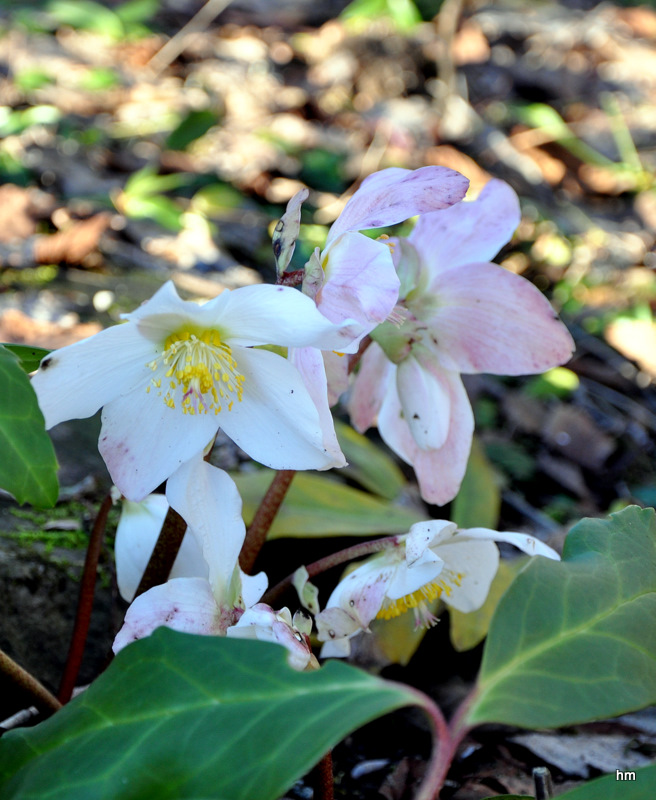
(576, 641)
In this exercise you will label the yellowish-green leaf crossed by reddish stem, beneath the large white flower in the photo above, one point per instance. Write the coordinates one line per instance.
(317, 505)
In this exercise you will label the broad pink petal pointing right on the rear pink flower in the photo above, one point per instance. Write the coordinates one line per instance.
(490, 320)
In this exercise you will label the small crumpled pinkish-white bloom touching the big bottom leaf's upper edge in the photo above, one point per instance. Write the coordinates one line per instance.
(263, 623)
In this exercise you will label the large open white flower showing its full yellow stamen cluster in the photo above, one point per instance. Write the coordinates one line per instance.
(176, 371)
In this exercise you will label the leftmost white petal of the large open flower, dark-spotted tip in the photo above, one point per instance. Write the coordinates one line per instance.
(74, 382)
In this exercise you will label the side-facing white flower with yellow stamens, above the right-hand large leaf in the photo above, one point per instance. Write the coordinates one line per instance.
(435, 560)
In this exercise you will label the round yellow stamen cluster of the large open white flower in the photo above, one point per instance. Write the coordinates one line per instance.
(202, 375)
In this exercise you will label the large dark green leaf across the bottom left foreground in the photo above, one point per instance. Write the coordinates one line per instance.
(181, 716)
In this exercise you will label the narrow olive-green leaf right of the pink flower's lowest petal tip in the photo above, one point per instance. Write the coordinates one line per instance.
(478, 502)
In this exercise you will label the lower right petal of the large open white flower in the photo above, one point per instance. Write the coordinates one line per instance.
(277, 423)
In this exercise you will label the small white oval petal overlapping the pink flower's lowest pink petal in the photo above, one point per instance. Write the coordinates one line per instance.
(425, 400)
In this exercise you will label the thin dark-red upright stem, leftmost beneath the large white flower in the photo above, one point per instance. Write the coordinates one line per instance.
(85, 603)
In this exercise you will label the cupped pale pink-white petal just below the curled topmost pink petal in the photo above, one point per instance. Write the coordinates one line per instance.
(361, 281)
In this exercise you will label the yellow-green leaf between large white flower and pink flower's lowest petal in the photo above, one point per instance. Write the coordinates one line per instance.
(368, 464)
